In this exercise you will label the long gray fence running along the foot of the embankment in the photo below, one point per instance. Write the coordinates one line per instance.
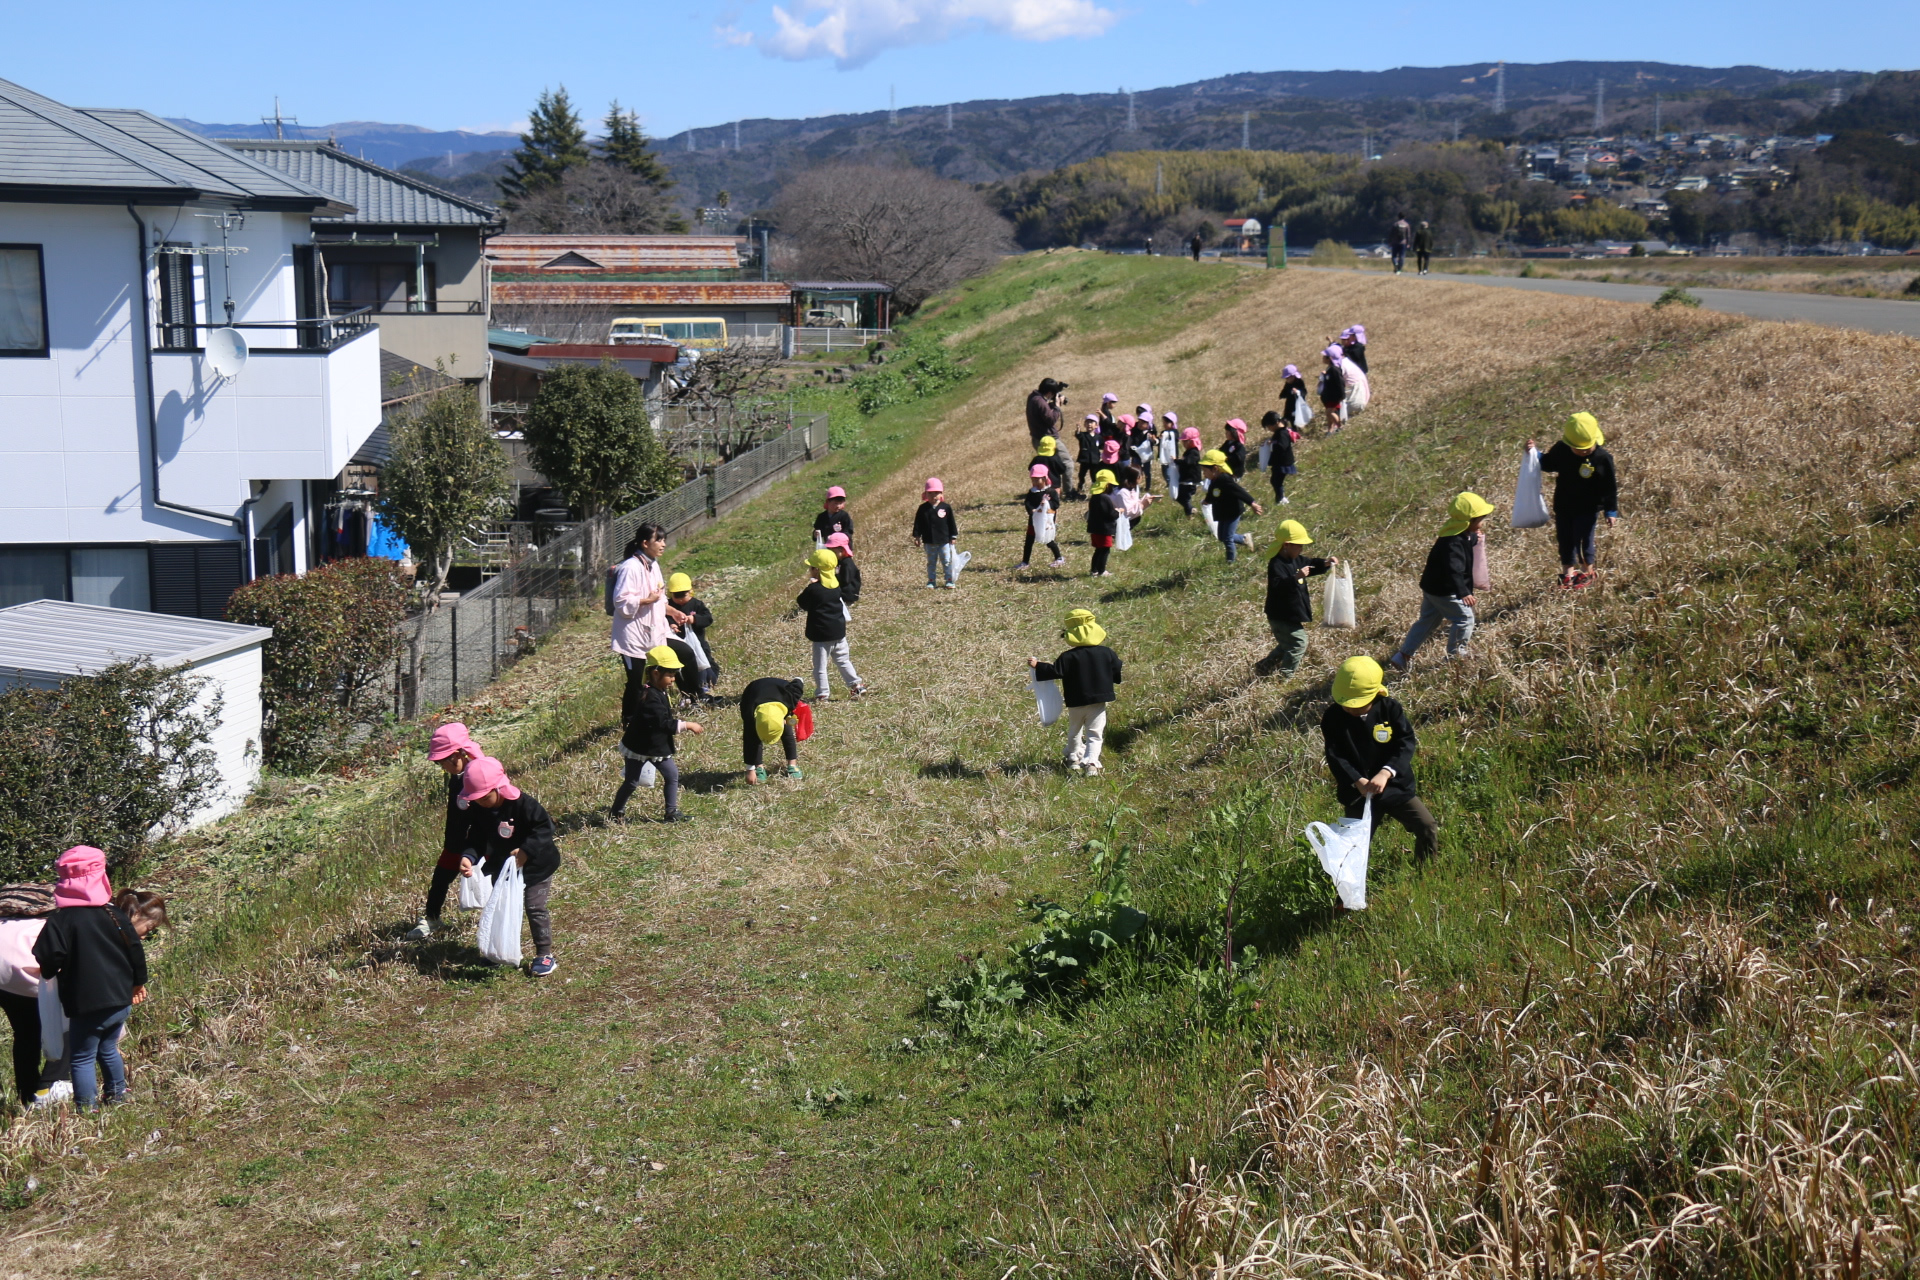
(485, 632)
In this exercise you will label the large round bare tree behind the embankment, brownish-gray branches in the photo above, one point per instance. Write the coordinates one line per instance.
(903, 227)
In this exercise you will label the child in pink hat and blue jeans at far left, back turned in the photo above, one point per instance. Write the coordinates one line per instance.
(93, 951)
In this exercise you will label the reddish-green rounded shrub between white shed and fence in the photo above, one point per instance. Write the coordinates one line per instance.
(335, 640)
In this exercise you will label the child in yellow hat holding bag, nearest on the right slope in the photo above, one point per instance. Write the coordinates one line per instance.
(1370, 753)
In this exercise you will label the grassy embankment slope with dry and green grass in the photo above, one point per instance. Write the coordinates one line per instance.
(1668, 934)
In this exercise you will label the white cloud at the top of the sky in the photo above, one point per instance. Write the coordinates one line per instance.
(855, 32)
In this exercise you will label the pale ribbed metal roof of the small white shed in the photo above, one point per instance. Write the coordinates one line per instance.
(59, 640)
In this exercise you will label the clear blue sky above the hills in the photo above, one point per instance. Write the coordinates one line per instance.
(706, 62)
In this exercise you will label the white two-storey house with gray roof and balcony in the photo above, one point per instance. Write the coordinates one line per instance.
(132, 473)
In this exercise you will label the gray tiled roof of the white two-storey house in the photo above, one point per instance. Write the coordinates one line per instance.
(57, 153)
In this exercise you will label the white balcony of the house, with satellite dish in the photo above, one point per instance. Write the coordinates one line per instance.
(300, 410)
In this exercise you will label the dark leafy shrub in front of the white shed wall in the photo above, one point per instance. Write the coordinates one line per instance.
(107, 761)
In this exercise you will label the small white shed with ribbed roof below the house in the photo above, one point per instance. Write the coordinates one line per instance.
(49, 642)
